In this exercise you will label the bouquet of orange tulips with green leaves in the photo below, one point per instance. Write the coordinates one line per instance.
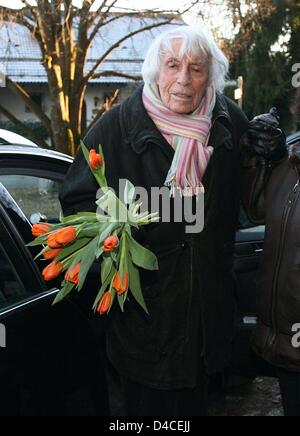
(79, 240)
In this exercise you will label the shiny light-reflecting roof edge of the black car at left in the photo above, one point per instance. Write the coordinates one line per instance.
(15, 149)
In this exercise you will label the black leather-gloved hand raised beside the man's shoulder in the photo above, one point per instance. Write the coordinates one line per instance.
(264, 138)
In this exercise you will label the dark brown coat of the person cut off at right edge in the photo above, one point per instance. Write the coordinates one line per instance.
(274, 198)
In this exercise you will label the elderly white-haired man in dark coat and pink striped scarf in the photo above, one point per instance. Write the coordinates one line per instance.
(179, 131)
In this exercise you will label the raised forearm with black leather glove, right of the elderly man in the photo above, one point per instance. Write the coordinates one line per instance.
(263, 147)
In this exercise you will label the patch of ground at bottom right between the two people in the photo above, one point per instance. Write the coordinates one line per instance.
(260, 397)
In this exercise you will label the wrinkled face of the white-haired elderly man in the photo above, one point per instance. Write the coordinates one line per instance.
(182, 82)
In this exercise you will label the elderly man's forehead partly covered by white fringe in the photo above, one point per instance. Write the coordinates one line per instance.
(180, 48)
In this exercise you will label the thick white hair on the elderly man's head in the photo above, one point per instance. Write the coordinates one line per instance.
(195, 42)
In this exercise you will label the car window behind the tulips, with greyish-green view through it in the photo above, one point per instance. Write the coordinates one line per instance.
(34, 195)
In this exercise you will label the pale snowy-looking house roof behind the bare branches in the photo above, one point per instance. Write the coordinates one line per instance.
(20, 55)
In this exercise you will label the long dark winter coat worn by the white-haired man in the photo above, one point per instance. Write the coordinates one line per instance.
(191, 299)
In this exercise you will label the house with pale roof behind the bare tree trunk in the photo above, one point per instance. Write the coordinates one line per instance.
(20, 59)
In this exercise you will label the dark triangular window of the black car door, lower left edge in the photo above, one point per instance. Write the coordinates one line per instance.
(11, 289)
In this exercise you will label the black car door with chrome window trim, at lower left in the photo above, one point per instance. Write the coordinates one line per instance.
(50, 357)
